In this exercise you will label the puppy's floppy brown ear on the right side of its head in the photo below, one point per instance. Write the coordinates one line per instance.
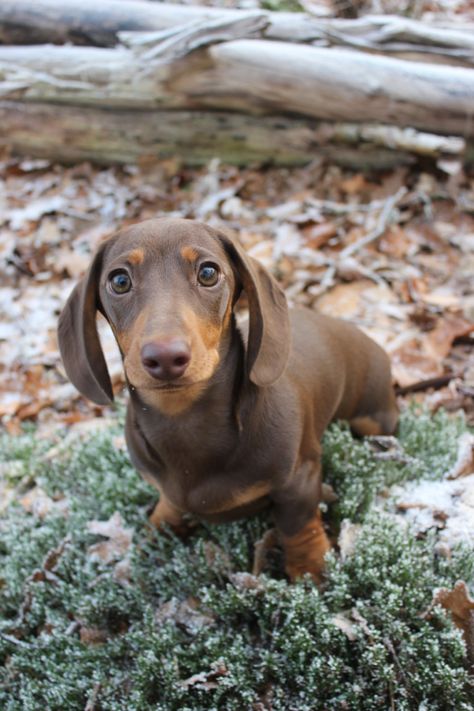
(268, 345)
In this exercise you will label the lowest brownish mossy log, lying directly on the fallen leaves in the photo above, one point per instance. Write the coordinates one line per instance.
(69, 134)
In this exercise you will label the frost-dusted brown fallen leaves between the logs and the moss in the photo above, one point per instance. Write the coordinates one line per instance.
(393, 252)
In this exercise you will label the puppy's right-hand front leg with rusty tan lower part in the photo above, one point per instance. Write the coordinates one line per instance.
(298, 519)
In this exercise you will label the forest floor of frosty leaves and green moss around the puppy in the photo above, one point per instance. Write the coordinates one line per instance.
(97, 612)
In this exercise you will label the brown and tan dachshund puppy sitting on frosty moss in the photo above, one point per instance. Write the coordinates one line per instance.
(222, 421)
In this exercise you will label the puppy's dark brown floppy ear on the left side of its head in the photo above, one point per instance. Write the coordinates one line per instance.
(78, 338)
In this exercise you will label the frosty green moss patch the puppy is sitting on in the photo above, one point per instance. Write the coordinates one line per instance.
(189, 628)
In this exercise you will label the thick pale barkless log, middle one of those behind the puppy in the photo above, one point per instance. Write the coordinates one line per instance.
(251, 76)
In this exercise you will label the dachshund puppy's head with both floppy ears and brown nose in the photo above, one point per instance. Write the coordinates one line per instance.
(167, 287)
